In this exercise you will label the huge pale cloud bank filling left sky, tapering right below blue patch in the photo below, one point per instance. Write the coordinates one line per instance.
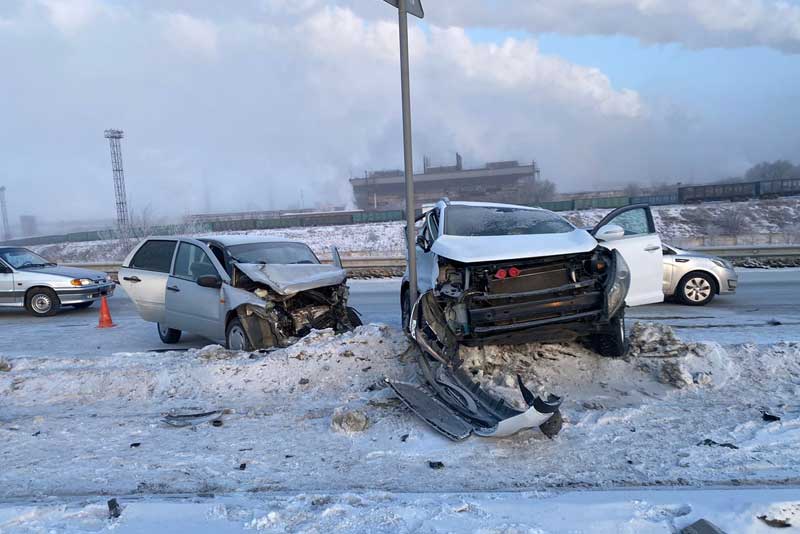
(292, 98)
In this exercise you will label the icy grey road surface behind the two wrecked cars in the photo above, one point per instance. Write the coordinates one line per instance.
(764, 310)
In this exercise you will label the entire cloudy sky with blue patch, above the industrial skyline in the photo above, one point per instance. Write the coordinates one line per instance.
(251, 104)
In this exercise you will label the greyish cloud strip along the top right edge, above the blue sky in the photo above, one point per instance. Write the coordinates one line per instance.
(693, 23)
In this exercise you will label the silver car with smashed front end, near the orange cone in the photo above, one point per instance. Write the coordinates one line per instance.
(253, 292)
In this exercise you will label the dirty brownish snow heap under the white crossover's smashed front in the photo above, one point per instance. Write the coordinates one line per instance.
(657, 362)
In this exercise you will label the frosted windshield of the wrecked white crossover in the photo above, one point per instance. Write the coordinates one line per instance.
(495, 221)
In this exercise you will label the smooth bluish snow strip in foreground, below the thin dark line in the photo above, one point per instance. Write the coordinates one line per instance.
(634, 512)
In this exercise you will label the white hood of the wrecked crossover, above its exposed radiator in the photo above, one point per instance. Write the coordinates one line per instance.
(468, 249)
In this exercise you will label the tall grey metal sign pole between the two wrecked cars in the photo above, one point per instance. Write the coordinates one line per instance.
(409, 160)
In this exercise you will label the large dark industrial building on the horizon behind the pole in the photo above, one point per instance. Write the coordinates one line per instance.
(499, 181)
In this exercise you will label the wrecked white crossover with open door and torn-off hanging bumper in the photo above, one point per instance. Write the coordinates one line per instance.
(505, 274)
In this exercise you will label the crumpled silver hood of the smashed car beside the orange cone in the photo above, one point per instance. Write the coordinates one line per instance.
(290, 279)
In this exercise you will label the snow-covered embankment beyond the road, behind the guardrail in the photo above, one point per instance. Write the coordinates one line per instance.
(387, 239)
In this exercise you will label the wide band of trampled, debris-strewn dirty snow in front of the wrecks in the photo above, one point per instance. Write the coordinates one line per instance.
(318, 416)
